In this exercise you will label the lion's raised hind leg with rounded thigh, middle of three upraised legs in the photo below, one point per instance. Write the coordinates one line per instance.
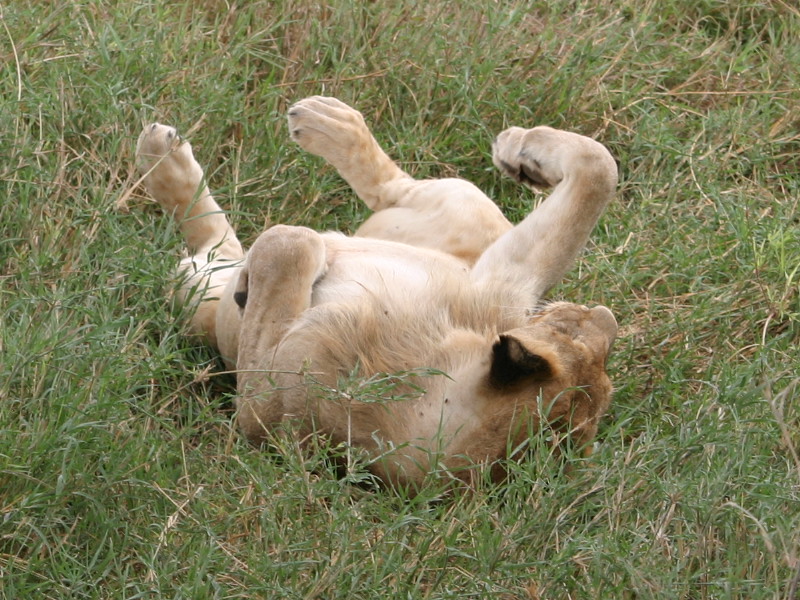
(450, 215)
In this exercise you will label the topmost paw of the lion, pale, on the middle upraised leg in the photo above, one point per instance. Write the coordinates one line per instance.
(328, 128)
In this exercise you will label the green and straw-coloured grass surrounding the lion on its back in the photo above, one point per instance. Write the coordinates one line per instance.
(120, 473)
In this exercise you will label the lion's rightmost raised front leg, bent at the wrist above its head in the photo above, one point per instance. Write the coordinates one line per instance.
(535, 254)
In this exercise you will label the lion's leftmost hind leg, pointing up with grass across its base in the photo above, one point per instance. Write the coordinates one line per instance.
(176, 181)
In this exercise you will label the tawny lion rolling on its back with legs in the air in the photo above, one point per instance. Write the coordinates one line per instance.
(436, 285)
